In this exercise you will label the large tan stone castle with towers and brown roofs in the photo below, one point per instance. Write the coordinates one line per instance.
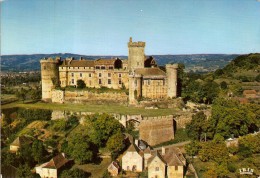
(139, 74)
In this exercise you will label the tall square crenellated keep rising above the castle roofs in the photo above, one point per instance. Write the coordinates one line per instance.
(136, 56)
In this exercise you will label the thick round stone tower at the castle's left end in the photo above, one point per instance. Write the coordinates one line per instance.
(49, 76)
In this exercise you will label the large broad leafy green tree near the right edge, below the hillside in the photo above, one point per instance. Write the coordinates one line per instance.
(230, 118)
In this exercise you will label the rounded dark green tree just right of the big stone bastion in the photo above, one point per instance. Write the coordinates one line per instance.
(197, 126)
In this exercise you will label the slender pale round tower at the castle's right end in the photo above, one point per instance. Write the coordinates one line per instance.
(171, 73)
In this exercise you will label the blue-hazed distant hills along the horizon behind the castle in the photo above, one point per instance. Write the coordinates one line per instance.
(193, 62)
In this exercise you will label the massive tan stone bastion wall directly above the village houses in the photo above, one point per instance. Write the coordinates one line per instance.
(157, 130)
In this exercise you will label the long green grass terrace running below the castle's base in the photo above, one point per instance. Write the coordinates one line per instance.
(95, 108)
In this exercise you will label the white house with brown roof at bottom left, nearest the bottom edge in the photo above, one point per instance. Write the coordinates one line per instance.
(52, 168)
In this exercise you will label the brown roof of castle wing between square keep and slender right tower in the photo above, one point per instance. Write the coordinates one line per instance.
(151, 72)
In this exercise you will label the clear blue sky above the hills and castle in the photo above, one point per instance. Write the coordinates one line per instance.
(103, 27)
